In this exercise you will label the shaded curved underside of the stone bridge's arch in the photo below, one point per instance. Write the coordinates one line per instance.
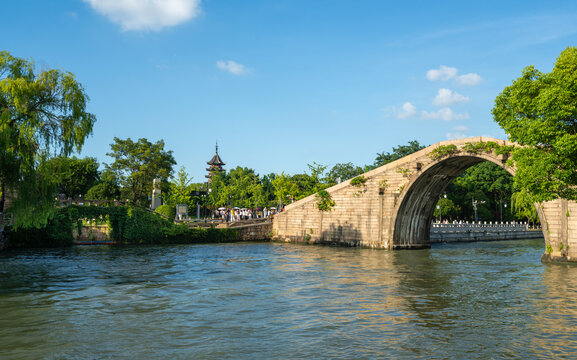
(412, 223)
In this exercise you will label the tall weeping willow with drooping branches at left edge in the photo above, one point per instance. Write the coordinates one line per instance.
(42, 114)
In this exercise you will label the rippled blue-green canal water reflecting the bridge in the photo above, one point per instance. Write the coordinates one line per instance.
(285, 301)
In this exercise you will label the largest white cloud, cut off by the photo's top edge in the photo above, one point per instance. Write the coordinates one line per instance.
(147, 14)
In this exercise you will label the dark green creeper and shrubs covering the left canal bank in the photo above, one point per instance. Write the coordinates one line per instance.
(127, 225)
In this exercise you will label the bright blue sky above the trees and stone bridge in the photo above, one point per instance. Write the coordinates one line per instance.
(282, 84)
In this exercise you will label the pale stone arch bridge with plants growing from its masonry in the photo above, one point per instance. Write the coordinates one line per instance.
(393, 207)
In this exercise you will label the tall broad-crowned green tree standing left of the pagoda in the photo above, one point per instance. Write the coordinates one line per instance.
(137, 164)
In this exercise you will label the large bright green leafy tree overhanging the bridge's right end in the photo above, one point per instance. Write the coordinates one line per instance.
(539, 112)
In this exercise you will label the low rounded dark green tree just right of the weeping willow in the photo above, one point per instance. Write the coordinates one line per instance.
(74, 176)
